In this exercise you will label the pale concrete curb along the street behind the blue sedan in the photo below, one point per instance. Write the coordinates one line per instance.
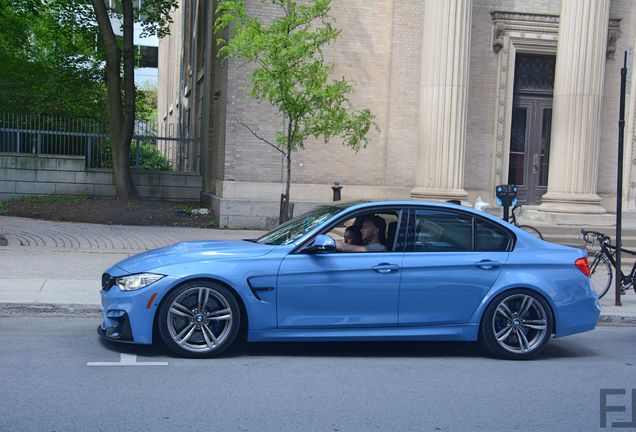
(45, 309)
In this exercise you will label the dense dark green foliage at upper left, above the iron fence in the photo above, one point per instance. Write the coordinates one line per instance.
(47, 65)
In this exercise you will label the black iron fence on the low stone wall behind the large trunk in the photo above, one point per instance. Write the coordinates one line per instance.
(150, 149)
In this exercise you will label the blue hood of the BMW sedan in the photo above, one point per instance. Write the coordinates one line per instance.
(195, 251)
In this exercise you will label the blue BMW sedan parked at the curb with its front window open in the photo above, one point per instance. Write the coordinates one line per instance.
(376, 271)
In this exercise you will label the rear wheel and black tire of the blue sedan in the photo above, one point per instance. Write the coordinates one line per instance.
(517, 325)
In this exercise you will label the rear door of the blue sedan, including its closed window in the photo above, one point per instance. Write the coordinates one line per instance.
(452, 260)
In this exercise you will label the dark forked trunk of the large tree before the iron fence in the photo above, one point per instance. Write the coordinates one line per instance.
(121, 117)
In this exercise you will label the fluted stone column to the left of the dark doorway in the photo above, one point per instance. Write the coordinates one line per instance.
(443, 100)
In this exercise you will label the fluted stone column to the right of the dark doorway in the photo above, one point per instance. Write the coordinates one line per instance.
(576, 115)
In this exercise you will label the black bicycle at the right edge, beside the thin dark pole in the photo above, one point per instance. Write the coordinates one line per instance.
(604, 262)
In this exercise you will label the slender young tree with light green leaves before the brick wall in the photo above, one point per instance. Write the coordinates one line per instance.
(292, 75)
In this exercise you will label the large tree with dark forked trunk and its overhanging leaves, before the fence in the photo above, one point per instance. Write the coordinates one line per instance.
(154, 15)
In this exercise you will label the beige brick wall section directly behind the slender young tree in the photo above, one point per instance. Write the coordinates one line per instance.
(363, 56)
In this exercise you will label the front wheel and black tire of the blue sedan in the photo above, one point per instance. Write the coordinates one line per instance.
(199, 319)
